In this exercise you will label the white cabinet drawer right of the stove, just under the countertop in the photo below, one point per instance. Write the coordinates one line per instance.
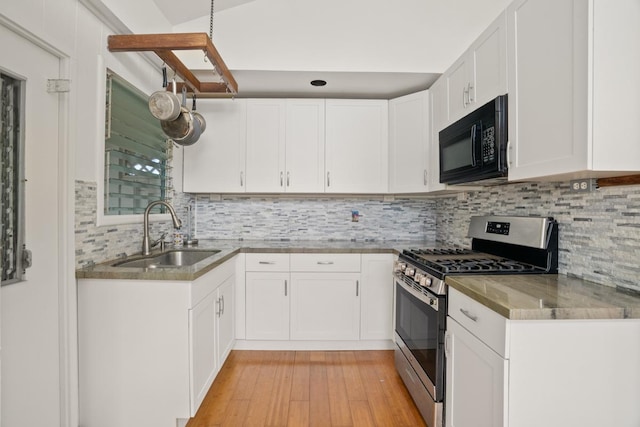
(484, 323)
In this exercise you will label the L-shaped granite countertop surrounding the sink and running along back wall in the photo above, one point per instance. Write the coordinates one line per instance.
(230, 248)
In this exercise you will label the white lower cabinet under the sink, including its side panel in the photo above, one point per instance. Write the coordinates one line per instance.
(149, 349)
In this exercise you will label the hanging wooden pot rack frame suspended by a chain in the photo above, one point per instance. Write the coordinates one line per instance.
(164, 44)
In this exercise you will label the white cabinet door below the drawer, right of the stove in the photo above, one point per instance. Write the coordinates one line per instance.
(476, 381)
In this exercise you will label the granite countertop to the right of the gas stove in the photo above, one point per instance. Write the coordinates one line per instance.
(547, 296)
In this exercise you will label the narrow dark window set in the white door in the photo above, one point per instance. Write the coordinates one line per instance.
(12, 178)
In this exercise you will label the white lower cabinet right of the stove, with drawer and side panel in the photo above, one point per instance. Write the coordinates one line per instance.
(531, 373)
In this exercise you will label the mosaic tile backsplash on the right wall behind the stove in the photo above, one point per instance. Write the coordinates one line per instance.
(599, 231)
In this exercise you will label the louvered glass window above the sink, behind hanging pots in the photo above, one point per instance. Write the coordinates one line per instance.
(137, 153)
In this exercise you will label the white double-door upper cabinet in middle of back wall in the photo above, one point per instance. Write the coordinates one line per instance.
(285, 145)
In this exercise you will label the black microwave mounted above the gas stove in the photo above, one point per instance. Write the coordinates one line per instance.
(475, 147)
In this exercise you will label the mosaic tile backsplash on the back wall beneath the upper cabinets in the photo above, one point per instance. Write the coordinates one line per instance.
(237, 217)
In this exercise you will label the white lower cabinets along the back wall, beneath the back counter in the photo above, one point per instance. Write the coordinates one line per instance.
(331, 298)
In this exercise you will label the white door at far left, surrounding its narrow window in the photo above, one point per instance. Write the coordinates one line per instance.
(30, 332)
